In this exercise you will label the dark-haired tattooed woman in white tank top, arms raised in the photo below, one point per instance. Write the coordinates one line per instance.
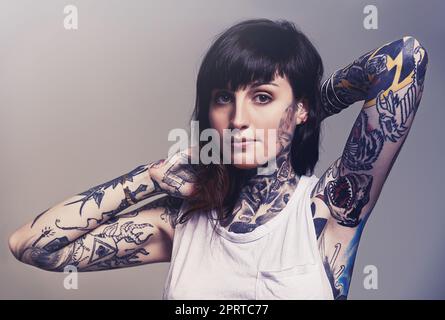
(230, 230)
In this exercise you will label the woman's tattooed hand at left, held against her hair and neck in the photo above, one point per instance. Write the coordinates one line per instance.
(175, 175)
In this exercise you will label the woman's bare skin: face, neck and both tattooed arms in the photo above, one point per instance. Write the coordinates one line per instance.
(88, 231)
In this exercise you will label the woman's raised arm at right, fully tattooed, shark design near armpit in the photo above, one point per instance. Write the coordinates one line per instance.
(390, 79)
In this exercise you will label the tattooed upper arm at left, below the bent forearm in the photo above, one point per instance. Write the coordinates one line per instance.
(138, 237)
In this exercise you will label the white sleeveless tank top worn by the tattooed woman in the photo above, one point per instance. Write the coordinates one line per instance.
(278, 260)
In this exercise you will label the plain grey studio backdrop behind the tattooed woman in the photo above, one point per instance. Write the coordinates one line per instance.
(78, 108)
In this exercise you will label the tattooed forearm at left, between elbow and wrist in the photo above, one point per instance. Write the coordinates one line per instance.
(40, 241)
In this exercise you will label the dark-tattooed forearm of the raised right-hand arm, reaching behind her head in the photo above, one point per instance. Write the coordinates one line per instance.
(376, 70)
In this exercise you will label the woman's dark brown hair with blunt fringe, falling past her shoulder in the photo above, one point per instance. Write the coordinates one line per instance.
(256, 50)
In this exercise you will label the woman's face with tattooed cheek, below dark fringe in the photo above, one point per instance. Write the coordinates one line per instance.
(268, 106)
